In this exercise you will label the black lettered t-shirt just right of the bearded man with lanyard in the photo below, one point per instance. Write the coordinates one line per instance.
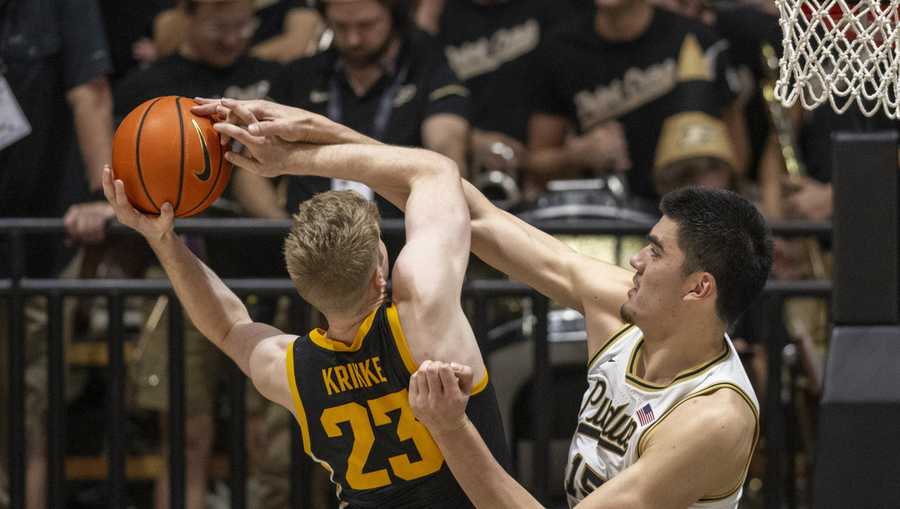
(490, 47)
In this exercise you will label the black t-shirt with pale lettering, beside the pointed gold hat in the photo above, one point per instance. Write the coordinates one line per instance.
(640, 83)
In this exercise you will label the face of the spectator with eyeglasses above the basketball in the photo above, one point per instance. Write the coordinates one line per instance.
(220, 32)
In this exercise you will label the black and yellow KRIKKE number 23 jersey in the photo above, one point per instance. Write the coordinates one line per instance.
(352, 405)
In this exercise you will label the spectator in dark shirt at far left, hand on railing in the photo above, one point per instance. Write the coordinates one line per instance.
(56, 73)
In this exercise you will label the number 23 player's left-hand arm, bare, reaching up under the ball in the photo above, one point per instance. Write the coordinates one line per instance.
(257, 348)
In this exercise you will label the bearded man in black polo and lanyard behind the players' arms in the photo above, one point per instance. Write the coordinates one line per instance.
(383, 78)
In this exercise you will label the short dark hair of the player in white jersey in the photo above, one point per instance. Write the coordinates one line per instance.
(723, 234)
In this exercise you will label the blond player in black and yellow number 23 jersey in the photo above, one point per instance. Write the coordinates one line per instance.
(347, 386)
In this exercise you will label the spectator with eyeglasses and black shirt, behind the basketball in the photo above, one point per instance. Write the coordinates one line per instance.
(212, 60)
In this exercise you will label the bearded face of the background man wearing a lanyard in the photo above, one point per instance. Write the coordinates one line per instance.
(362, 30)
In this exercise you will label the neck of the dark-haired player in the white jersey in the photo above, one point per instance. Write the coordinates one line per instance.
(665, 355)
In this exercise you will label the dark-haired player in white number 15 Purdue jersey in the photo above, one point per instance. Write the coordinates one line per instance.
(669, 418)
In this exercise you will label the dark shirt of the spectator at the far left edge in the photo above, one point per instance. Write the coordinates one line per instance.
(48, 47)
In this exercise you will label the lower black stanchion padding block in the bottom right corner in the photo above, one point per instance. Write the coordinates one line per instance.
(858, 443)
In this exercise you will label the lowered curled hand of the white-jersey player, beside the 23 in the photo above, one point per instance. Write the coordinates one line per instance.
(438, 394)
